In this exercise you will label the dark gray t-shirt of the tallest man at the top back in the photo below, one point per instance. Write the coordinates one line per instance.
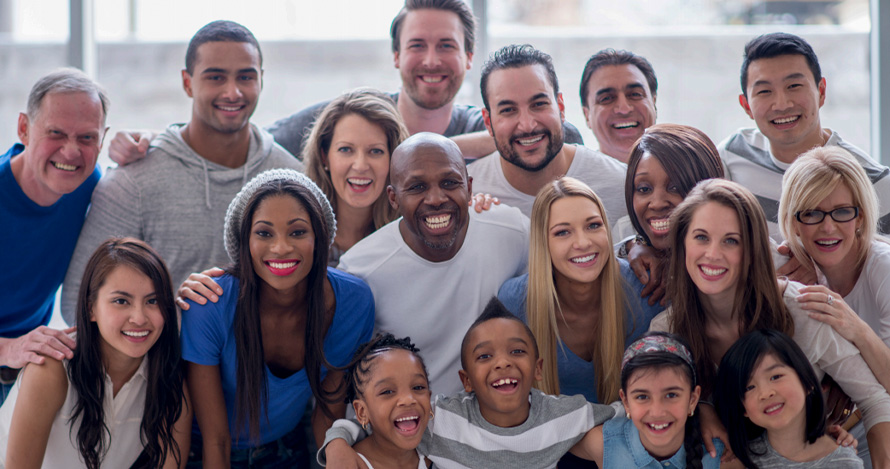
(292, 130)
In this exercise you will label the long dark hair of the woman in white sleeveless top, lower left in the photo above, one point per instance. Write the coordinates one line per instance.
(164, 395)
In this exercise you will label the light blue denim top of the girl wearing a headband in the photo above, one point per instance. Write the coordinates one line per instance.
(622, 448)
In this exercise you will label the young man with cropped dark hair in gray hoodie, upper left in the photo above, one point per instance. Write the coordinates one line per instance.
(176, 198)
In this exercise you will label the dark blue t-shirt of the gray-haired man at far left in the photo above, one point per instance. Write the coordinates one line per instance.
(38, 243)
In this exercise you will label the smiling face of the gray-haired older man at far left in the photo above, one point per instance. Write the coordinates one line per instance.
(62, 143)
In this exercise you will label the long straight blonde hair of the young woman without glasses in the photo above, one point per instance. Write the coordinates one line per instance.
(542, 303)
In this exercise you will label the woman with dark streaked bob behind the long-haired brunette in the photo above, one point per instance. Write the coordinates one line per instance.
(664, 165)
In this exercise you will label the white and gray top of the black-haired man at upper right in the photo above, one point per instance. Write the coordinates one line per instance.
(748, 161)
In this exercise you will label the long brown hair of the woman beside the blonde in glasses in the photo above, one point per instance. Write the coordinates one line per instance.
(758, 302)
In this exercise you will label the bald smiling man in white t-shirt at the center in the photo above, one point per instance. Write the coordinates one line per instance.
(431, 272)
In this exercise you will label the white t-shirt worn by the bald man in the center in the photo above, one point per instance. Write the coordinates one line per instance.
(435, 303)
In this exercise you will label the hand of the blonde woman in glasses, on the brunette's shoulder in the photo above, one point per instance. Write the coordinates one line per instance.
(827, 306)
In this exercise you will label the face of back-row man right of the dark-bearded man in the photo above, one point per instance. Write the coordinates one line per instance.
(620, 106)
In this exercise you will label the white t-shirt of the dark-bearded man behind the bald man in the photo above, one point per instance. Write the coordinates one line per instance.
(604, 174)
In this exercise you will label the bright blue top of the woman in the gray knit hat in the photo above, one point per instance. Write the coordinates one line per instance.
(208, 338)
